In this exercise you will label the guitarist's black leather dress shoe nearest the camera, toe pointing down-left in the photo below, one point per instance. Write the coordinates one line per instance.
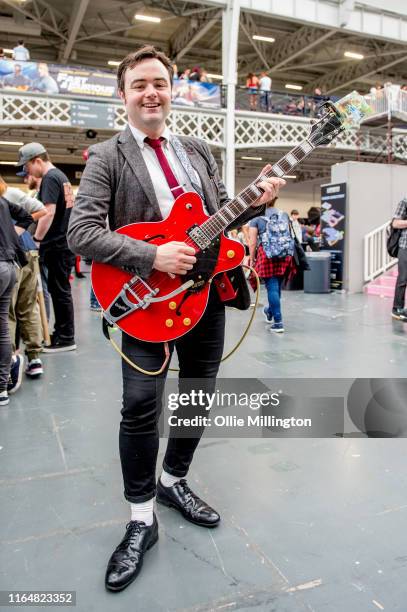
(126, 561)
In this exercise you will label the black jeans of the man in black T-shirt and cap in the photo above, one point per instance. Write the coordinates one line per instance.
(59, 263)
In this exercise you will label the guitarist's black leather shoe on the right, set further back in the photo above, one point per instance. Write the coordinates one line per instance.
(192, 508)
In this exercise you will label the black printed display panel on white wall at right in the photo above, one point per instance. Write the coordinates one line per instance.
(333, 219)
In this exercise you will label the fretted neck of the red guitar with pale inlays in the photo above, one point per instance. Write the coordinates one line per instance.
(226, 215)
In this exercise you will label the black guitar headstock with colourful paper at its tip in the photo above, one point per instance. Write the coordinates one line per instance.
(347, 113)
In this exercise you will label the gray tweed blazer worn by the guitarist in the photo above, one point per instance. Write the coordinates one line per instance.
(116, 185)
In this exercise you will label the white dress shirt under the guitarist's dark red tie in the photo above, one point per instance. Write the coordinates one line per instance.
(161, 187)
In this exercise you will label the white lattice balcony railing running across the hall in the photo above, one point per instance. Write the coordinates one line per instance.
(251, 129)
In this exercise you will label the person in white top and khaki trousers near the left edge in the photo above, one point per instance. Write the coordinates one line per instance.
(24, 309)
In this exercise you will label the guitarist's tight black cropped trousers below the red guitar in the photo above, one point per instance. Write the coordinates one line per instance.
(199, 354)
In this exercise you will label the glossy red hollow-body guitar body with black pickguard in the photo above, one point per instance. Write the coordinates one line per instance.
(172, 317)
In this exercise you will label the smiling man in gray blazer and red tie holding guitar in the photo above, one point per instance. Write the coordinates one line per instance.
(136, 177)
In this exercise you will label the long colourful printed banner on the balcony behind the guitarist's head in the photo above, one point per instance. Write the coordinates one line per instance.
(54, 79)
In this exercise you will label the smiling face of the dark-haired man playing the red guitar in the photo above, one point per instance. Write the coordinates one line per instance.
(147, 95)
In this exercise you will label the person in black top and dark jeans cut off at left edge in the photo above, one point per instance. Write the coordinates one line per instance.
(10, 254)
